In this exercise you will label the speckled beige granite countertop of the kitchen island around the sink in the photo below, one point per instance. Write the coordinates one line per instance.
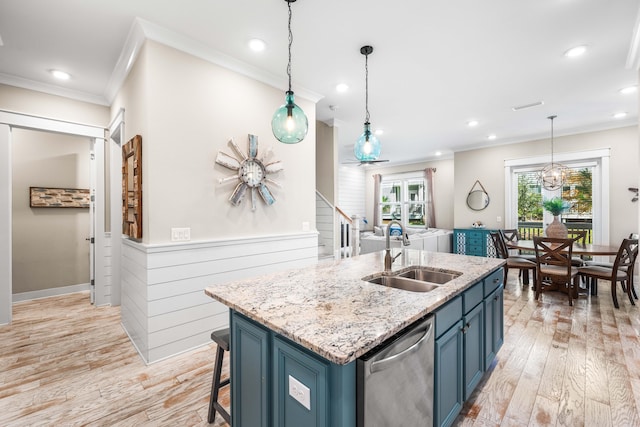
(328, 308)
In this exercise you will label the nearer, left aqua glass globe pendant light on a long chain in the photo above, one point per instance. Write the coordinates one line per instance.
(289, 123)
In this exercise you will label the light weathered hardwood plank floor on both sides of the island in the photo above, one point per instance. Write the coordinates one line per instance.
(65, 362)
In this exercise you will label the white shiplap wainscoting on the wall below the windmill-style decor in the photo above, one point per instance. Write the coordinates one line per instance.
(164, 308)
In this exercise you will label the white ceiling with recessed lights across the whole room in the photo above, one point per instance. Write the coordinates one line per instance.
(435, 66)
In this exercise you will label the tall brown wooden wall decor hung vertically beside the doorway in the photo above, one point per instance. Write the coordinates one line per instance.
(132, 188)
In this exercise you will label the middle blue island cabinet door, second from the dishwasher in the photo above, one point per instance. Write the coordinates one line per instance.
(473, 343)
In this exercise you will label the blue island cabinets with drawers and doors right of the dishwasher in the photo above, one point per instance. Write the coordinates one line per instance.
(469, 333)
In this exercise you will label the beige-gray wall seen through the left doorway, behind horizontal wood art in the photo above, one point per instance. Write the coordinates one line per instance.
(48, 244)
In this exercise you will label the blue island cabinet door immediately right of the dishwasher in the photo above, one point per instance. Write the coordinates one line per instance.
(448, 381)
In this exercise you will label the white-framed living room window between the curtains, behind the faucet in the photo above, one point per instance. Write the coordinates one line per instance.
(403, 198)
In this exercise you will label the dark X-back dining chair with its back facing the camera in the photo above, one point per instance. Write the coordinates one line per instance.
(553, 266)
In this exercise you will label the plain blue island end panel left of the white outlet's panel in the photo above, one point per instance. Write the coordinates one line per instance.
(250, 374)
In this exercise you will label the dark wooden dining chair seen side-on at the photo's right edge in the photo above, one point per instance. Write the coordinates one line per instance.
(621, 271)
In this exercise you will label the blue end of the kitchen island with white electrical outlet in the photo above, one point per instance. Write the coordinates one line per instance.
(269, 370)
